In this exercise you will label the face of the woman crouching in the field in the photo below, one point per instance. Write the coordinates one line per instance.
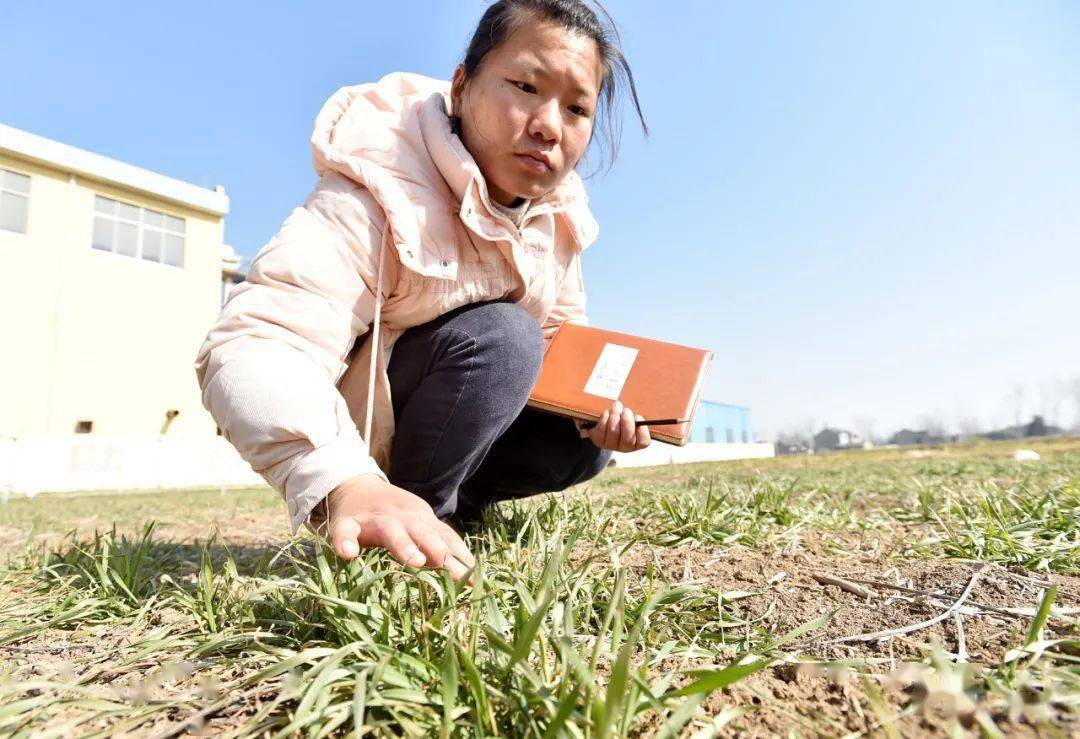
(528, 114)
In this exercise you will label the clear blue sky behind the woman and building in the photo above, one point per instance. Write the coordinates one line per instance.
(870, 212)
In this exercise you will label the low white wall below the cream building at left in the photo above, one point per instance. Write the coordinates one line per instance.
(42, 463)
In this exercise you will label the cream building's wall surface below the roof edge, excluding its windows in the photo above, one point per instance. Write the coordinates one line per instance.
(99, 337)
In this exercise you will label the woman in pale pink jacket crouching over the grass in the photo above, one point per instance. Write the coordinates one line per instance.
(445, 235)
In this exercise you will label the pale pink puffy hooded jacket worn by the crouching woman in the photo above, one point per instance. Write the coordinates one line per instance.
(399, 204)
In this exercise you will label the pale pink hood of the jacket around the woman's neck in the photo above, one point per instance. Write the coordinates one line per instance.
(394, 138)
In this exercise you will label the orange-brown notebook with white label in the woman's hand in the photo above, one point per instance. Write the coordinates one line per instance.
(586, 369)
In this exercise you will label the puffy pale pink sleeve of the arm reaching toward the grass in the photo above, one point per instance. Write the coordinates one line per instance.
(269, 367)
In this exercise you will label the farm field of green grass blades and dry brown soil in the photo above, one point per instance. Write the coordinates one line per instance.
(896, 594)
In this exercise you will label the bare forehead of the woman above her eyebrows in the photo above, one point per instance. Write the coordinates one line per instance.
(552, 51)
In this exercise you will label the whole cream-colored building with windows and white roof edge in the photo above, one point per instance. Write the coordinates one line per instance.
(111, 277)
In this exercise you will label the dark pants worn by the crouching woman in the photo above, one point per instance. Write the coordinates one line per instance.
(465, 438)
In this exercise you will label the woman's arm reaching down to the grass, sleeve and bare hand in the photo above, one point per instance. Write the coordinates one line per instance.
(269, 371)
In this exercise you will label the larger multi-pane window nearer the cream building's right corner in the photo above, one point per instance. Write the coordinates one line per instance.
(139, 233)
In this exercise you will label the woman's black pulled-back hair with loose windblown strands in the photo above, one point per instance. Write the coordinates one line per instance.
(504, 18)
